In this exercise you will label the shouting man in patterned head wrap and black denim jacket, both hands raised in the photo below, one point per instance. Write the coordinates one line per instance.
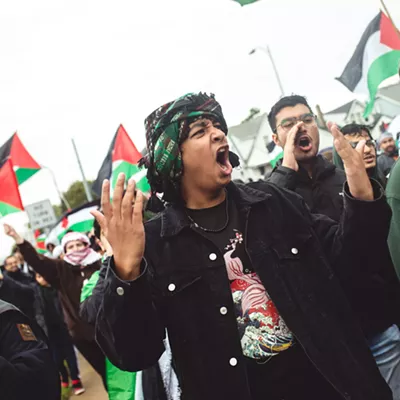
(243, 278)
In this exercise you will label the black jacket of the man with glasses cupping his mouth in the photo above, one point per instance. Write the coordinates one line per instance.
(373, 289)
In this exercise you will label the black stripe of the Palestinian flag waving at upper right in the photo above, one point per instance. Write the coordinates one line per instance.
(353, 72)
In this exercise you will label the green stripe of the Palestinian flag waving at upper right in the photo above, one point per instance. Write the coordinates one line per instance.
(382, 68)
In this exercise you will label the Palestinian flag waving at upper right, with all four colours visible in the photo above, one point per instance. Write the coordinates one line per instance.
(376, 58)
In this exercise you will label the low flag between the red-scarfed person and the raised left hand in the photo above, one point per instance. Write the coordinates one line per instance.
(77, 220)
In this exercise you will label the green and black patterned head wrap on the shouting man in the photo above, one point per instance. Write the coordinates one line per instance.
(166, 129)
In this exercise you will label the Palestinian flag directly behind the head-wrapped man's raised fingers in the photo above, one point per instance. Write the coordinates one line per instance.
(122, 156)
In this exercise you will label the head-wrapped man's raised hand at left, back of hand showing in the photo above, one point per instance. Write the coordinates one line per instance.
(122, 225)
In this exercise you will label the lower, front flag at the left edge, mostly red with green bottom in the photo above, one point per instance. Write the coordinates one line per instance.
(10, 199)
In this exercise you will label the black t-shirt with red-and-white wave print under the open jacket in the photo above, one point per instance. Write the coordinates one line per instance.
(262, 330)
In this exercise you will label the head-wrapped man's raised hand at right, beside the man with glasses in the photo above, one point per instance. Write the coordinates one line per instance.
(357, 177)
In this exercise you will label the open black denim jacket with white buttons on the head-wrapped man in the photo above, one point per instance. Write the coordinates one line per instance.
(184, 285)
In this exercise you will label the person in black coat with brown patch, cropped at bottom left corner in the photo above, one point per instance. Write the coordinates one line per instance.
(27, 370)
